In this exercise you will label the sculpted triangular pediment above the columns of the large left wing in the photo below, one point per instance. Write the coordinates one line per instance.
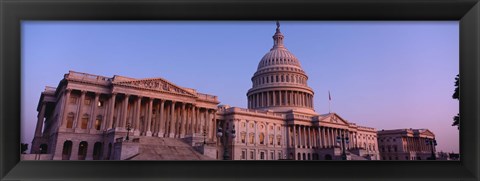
(156, 84)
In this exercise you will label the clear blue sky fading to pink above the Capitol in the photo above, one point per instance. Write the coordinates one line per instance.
(386, 75)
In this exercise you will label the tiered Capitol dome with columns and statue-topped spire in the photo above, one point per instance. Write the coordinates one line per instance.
(280, 83)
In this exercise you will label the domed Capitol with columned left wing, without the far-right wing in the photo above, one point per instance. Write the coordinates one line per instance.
(93, 117)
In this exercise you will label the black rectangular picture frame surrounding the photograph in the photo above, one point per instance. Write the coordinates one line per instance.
(13, 12)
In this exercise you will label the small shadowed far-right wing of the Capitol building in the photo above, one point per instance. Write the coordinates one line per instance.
(406, 144)
